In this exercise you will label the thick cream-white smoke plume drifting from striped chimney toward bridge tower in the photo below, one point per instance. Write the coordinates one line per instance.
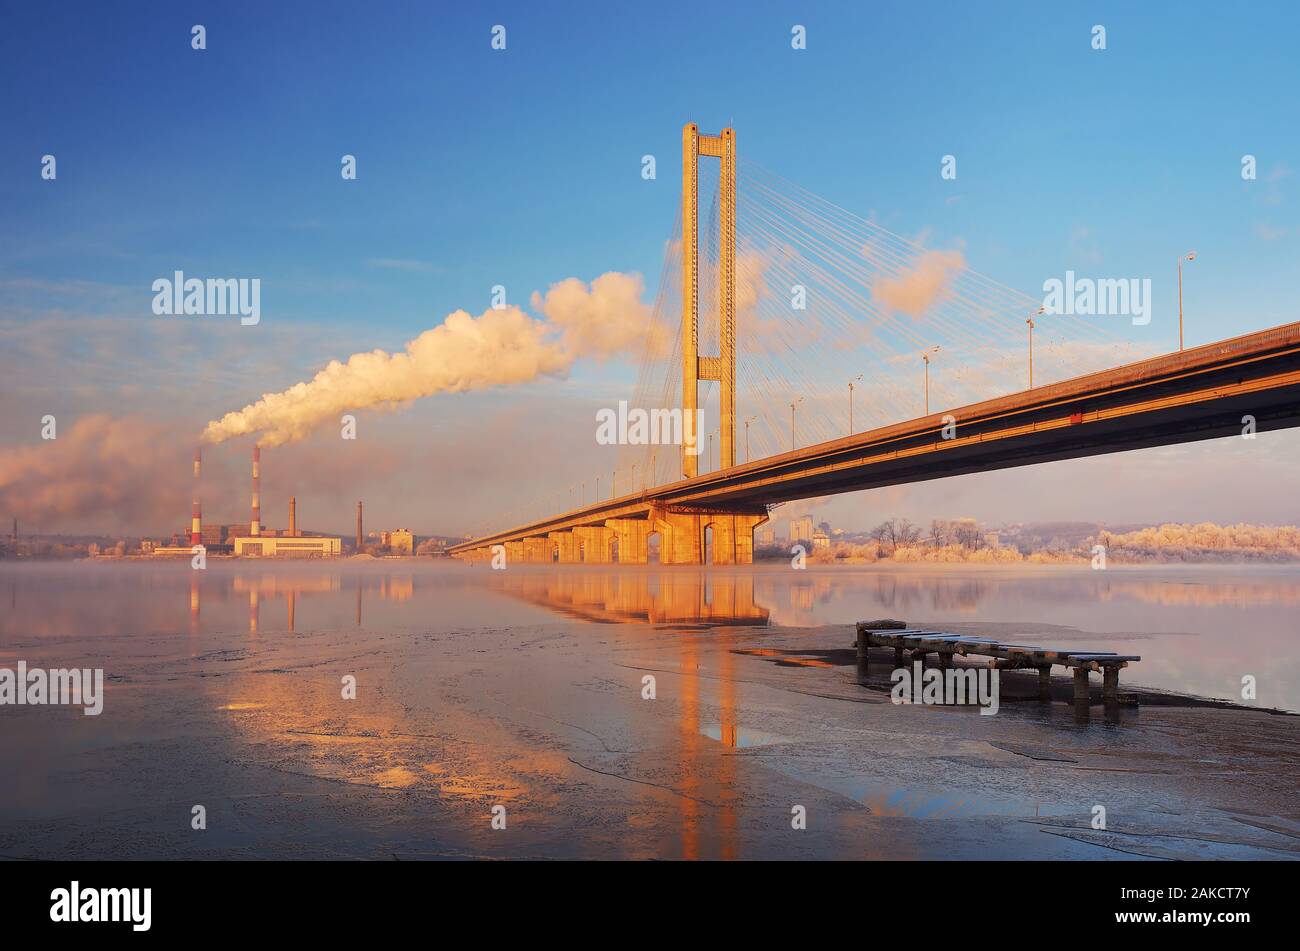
(465, 353)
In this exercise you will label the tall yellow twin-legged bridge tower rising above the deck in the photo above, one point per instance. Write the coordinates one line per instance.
(695, 367)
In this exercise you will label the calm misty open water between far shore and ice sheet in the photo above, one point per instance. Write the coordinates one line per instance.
(1199, 629)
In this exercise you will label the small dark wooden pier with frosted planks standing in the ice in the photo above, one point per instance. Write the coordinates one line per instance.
(918, 644)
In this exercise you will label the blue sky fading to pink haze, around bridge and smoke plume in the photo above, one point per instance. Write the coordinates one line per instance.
(522, 168)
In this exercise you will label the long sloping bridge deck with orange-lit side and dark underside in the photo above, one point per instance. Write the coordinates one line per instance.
(1198, 394)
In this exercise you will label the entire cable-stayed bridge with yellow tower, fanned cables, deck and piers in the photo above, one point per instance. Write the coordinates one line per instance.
(770, 306)
